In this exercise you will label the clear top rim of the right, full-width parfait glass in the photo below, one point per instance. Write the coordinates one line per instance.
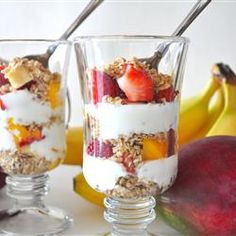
(127, 36)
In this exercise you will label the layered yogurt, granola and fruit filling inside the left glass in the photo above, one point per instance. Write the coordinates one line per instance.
(31, 118)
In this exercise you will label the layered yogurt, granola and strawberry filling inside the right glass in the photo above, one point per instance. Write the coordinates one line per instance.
(131, 119)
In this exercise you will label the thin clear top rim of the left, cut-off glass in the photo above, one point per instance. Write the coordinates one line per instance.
(35, 41)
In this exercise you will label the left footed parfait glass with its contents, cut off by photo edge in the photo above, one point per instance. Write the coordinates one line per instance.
(32, 129)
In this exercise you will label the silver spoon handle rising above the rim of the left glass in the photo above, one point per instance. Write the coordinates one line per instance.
(92, 5)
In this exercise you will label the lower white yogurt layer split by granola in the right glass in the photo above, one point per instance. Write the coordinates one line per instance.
(103, 174)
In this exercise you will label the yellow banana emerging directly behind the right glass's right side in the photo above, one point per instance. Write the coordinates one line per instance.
(194, 112)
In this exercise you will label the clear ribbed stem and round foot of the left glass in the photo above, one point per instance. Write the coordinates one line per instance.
(29, 216)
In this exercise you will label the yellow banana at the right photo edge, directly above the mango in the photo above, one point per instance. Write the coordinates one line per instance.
(225, 124)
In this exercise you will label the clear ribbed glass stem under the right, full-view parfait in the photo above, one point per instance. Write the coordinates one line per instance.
(129, 217)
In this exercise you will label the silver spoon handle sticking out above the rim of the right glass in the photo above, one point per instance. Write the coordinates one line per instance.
(195, 11)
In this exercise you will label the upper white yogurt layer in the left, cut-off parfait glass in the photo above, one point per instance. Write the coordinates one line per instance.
(24, 107)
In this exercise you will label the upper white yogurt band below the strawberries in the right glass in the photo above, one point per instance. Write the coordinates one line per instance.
(116, 119)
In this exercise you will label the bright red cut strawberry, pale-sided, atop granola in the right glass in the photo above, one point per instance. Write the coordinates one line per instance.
(136, 84)
